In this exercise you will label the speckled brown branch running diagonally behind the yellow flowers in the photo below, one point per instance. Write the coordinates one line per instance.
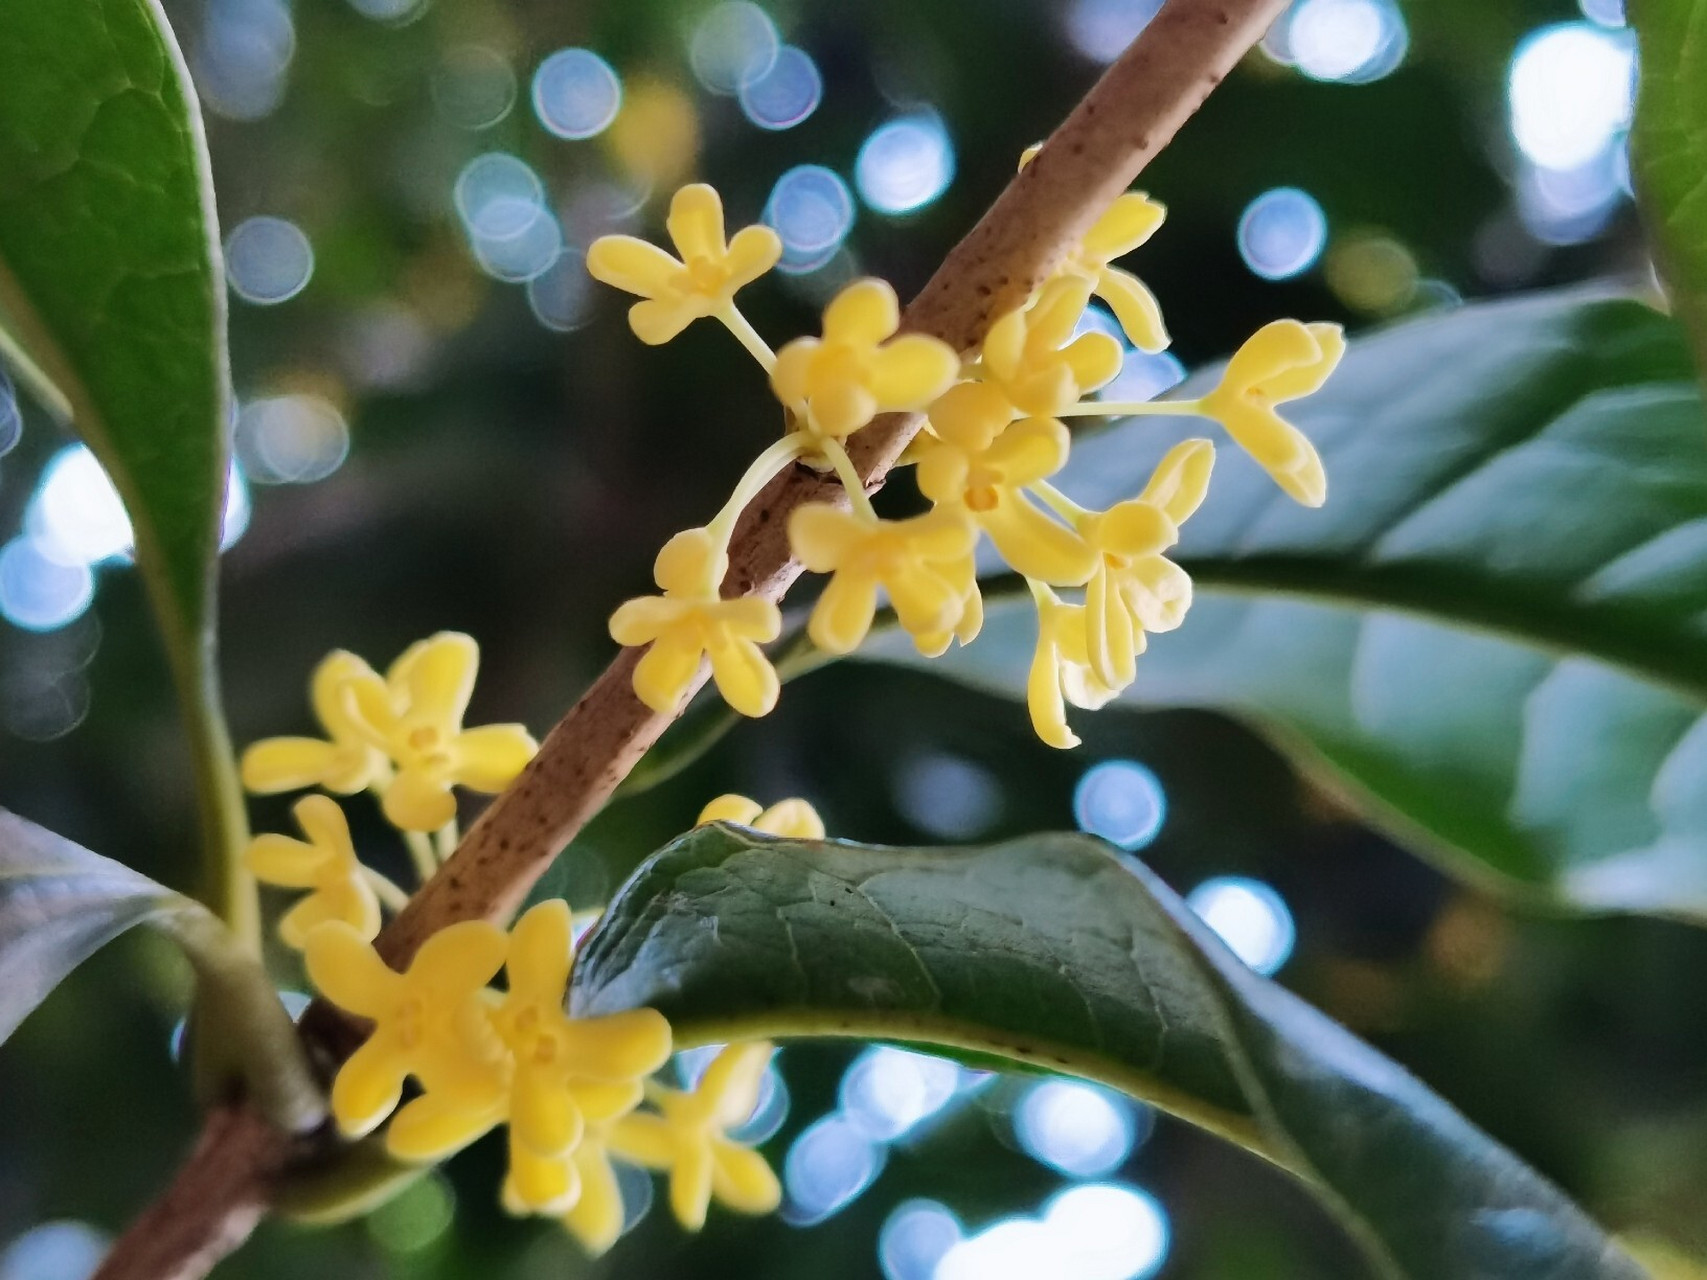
(1093, 158)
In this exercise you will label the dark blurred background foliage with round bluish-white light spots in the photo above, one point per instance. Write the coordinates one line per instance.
(446, 426)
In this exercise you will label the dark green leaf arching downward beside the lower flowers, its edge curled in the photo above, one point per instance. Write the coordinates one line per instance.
(1052, 951)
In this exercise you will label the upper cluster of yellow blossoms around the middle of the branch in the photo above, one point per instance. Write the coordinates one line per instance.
(991, 441)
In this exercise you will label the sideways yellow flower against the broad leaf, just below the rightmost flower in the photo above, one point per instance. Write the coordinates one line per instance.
(1136, 588)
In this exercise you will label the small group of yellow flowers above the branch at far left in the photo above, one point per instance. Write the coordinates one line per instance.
(399, 736)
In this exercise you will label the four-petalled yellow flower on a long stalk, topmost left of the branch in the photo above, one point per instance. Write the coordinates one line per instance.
(702, 282)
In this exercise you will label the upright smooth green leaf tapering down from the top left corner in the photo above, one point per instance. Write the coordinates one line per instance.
(114, 291)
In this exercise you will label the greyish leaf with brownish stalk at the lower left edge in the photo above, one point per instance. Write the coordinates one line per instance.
(61, 904)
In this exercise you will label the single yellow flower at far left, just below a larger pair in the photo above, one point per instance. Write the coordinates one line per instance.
(325, 864)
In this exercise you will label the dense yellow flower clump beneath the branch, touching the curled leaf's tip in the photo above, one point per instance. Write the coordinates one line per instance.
(573, 1091)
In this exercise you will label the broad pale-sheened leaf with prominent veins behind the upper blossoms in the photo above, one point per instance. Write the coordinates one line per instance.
(1493, 632)
